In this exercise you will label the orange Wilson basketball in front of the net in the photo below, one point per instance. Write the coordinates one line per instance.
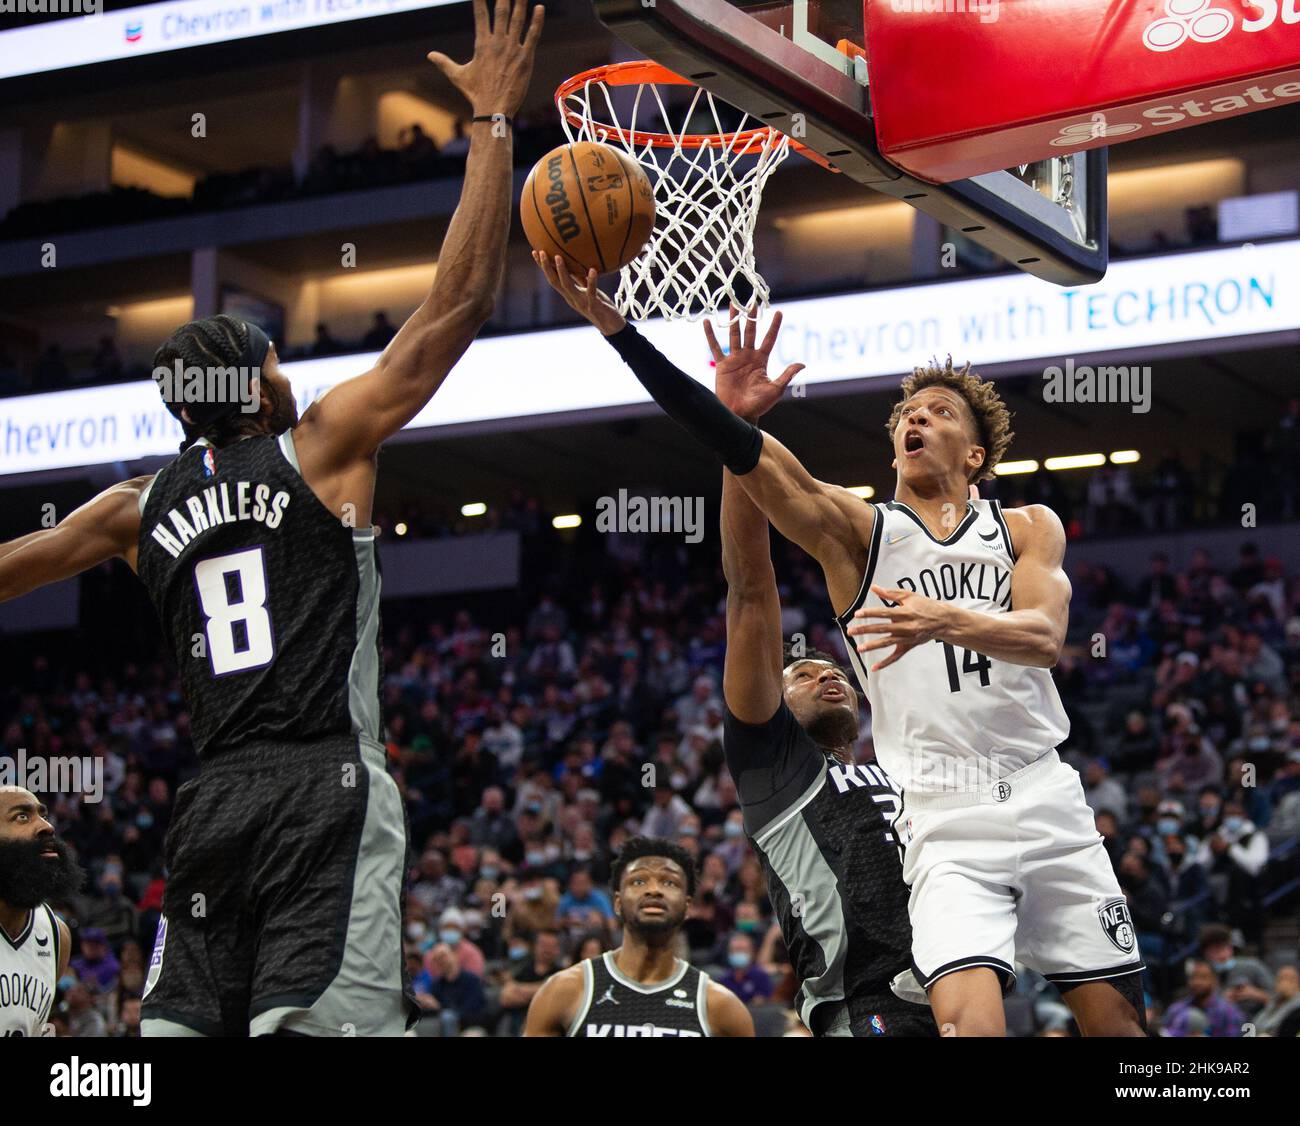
(591, 203)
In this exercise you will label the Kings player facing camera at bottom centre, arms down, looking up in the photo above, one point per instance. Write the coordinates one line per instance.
(642, 989)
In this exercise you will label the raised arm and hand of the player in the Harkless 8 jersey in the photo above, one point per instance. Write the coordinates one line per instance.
(356, 418)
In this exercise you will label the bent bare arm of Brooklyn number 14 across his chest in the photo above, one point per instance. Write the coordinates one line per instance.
(1033, 633)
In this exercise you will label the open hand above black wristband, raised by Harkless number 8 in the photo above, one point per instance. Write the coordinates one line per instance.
(496, 80)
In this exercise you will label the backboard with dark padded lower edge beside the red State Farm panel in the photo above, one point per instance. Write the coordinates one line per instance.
(800, 67)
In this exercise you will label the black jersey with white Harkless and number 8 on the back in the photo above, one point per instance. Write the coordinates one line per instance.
(270, 603)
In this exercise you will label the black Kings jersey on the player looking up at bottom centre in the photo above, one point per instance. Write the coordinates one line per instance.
(616, 1006)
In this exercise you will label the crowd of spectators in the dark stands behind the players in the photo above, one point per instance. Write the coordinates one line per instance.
(531, 734)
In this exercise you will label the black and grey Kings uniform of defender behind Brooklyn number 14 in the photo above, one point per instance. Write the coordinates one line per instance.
(825, 835)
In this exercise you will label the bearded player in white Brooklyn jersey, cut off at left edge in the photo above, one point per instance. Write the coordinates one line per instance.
(36, 945)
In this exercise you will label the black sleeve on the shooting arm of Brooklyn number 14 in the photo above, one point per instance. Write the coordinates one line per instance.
(695, 409)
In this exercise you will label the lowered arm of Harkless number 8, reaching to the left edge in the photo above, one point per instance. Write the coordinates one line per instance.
(99, 531)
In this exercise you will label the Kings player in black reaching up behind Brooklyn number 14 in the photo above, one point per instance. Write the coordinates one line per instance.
(821, 824)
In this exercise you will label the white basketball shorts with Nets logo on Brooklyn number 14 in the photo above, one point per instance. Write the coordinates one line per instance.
(1015, 872)
